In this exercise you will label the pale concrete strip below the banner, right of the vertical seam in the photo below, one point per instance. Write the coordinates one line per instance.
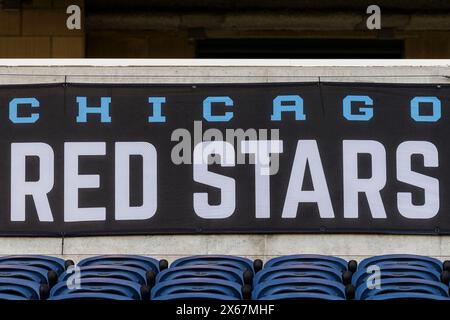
(264, 247)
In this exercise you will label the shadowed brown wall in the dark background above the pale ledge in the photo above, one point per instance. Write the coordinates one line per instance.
(38, 30)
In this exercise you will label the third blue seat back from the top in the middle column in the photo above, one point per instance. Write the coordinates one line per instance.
(197, 285)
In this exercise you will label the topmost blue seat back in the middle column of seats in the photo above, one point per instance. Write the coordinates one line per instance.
(223, 260)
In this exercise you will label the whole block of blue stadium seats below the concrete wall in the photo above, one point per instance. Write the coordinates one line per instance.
(220, 277)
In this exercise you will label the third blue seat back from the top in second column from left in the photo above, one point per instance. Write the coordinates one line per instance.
(100, 285)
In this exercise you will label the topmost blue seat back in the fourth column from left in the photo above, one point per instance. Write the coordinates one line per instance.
(310, 259)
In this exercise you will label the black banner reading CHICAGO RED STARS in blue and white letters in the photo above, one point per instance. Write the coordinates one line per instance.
(78, 159)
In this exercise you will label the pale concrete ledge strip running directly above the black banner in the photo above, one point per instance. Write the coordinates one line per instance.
(414, 73)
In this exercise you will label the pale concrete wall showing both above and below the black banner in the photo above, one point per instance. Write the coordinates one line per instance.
(255, 246)
